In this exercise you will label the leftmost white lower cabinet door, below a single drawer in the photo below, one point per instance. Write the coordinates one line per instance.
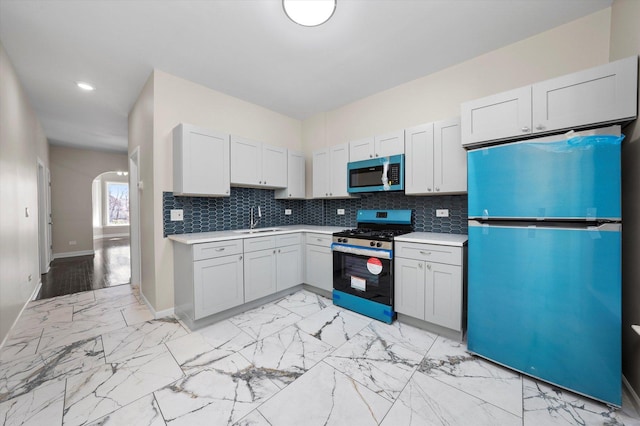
(218, 285)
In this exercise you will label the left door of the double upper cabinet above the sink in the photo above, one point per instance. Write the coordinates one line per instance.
(246, 161)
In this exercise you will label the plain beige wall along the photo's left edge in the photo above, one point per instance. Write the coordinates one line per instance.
(22, 144)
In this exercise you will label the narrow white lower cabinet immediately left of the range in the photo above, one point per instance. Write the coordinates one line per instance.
(319, 261)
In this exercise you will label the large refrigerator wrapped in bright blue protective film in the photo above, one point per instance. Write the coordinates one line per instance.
(544, 277)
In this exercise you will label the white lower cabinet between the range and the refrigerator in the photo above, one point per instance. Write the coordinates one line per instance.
(429, 283)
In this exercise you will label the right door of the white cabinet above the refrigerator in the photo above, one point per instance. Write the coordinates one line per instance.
(597, 95)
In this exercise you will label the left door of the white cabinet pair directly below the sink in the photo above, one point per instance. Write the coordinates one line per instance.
(259, 274)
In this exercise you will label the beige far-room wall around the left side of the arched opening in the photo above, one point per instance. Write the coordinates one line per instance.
(72, 173)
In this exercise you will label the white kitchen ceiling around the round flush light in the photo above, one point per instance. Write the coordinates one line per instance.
(245, 48)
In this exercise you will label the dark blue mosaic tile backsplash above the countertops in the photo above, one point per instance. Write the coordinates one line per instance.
(204, 214)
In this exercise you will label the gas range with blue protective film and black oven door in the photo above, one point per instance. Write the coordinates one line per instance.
(363, 262)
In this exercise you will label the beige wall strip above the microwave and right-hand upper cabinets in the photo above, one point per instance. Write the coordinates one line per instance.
(580, 44)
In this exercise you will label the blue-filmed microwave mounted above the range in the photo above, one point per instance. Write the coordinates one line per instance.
(376, 174)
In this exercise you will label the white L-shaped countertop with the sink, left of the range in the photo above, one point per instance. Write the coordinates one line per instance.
(208, 237)
